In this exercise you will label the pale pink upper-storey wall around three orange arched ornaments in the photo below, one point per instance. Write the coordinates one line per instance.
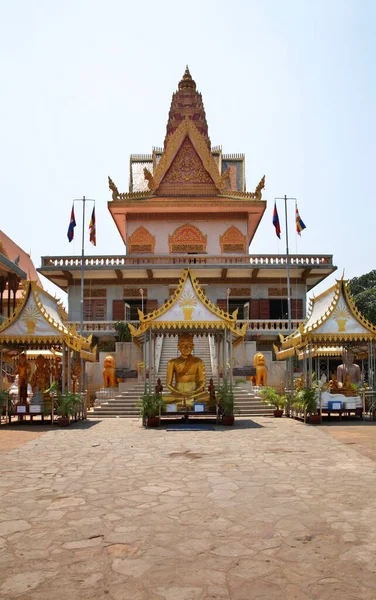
(162, 229)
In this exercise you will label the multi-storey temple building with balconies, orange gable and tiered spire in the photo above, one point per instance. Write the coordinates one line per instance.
(187, 206)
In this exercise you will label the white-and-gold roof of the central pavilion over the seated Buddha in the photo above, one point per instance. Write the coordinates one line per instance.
(189, 309)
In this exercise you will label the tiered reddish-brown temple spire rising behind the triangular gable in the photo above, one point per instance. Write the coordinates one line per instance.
(187, 102)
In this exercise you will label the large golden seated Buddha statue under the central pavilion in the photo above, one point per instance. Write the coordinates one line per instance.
(186, 378)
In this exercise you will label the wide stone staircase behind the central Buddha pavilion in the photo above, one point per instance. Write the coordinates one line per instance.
(247, 402)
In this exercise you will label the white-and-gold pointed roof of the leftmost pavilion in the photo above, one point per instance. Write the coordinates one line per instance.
(40, 320)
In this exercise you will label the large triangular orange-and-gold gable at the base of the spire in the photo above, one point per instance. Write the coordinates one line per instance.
(193, 161)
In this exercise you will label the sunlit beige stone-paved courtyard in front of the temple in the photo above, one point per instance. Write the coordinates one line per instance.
(271, 509)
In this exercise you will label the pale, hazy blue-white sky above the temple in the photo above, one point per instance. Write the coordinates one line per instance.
(291, 84)
